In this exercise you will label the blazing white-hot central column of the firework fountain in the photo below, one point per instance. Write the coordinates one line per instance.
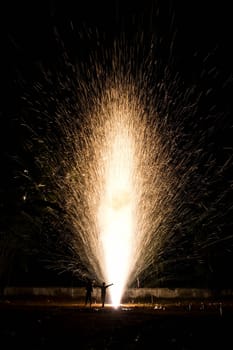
(117, 205)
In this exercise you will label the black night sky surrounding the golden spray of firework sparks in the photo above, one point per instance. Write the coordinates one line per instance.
(194, 38)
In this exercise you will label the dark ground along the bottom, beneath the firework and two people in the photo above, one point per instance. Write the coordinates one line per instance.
(47, 324)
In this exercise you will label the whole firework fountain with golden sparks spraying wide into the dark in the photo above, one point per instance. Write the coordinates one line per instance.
(111, 138)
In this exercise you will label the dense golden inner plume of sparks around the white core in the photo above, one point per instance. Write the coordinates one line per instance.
(124, 209)
